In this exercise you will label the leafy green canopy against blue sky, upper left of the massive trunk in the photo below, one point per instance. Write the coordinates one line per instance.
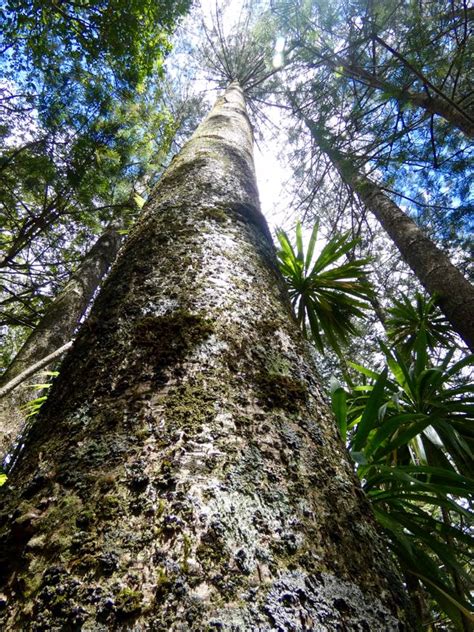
(84, 126)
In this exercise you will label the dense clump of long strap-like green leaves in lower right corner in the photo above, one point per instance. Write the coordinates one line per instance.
(410, 430)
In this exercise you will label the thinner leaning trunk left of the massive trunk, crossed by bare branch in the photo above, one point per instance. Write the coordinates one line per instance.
(53, 331)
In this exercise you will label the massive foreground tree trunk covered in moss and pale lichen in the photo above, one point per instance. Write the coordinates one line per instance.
(185, 473)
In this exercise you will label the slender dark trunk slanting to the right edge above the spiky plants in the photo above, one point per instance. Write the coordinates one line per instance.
(430, 264)
